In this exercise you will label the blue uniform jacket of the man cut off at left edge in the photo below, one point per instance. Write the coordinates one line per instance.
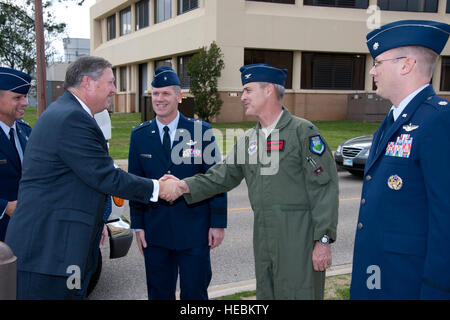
(10, 172)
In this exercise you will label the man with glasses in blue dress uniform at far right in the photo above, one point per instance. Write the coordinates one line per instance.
(402, 238)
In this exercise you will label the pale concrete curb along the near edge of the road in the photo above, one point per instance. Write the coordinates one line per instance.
(218, 291)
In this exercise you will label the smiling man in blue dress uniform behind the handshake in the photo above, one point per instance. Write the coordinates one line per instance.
(173, 236)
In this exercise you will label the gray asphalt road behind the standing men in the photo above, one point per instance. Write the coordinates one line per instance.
(124, 278)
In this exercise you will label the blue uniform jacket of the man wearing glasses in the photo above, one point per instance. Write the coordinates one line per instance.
(402, 239)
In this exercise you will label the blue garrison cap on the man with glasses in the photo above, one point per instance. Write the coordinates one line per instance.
(424, 33)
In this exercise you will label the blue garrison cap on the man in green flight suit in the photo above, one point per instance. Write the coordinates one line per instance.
(261, 72)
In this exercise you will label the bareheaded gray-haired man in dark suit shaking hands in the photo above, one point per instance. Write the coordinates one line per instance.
(67, 175)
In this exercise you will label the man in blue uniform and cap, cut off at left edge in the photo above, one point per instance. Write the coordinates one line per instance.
(14, 133)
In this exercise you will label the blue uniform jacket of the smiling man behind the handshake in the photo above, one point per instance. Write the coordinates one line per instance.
(175, 225)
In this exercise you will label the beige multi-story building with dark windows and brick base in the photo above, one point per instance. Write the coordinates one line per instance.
(320, 42)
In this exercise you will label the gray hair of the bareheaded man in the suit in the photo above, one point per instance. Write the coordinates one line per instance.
(90, 66)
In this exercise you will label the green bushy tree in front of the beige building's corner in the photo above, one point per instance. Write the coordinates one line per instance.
(205, 68)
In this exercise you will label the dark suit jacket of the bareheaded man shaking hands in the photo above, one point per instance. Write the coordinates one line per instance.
(66, 176)
